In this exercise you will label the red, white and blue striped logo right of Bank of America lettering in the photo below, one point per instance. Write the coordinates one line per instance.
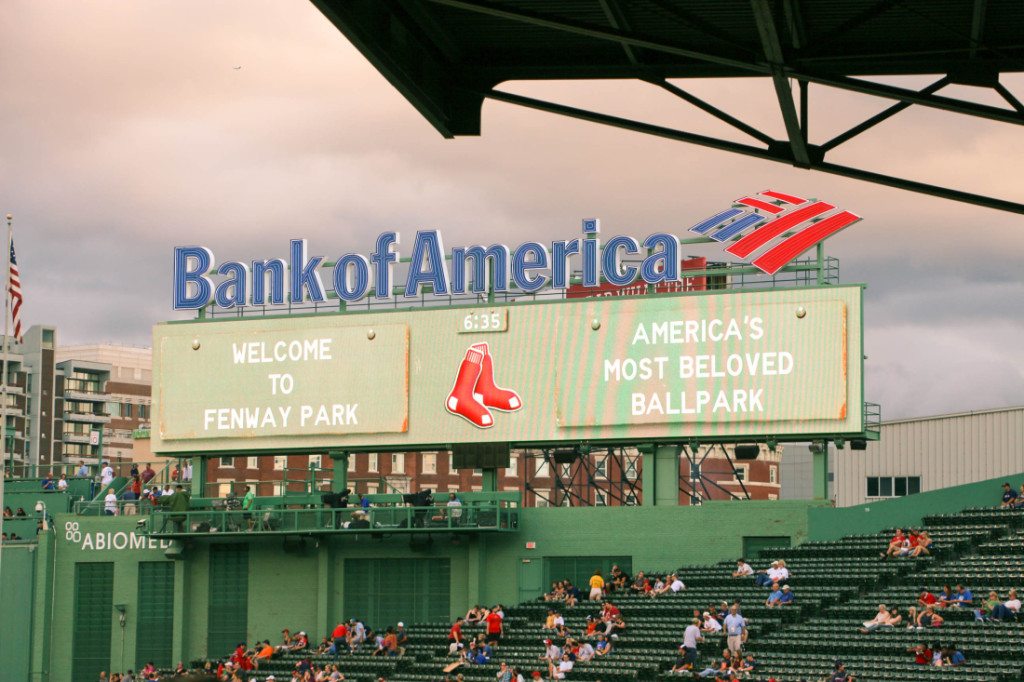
(801, 223)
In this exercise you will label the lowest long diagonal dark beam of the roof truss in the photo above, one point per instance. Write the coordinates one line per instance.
(760, 153)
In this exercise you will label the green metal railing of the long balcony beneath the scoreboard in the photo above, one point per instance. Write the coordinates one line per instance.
(475, 518)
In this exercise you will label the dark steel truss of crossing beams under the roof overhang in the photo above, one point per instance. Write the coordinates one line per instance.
(796, 150)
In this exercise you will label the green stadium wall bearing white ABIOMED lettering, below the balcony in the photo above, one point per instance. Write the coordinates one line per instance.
(303, 585)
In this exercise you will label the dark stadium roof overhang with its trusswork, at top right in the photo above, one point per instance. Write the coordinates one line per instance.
(447, 57)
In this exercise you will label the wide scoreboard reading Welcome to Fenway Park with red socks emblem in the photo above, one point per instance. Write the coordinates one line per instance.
(712, 367)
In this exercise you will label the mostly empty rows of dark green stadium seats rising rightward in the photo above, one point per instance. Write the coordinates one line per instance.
(838, 585)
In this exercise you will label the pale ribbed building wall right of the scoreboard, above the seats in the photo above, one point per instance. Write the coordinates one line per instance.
(945, 451)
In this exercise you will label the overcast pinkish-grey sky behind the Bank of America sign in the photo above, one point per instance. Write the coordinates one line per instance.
(126, 130)
